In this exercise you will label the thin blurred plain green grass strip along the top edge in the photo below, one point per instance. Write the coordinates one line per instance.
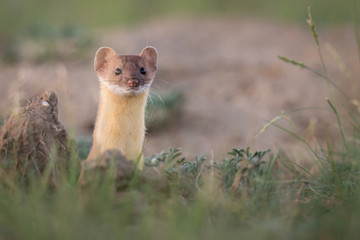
(23, 14)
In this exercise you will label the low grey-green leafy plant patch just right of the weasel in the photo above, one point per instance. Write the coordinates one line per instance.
(236, 172)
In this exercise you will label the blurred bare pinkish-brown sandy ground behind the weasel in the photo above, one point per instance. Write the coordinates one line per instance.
(228, 70)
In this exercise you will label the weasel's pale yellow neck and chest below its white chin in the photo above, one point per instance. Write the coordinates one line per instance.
(120, 124)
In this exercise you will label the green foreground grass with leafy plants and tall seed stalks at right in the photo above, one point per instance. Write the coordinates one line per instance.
(245, 195)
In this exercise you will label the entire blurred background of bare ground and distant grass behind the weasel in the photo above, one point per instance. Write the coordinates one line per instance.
(219, 79)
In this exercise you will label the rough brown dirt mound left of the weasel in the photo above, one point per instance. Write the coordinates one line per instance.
(33, 135)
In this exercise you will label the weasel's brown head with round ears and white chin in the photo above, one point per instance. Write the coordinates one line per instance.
(126, 74)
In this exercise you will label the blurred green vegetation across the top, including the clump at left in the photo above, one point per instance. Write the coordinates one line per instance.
(39, 28)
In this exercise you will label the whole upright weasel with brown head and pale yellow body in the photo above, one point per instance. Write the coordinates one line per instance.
(124, 87)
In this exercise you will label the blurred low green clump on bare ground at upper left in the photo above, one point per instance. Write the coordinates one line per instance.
(43, 43)
